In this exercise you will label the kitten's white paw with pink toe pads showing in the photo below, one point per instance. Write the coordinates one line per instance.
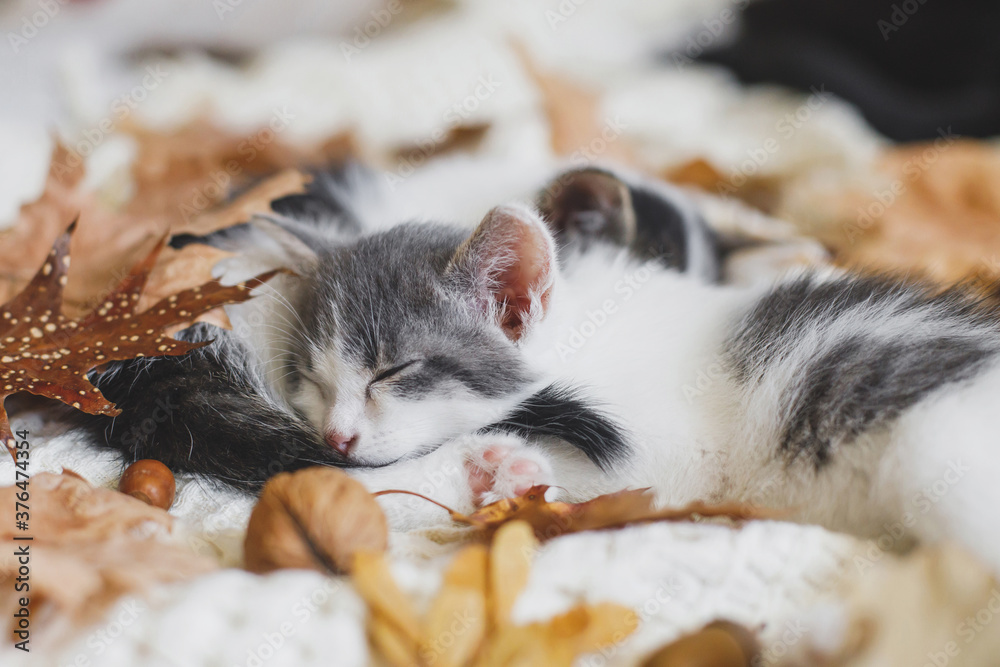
(505, 470)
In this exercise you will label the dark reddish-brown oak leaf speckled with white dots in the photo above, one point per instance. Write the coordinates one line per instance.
(48, 354)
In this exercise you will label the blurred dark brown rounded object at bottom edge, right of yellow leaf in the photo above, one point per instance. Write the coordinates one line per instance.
(718, 644)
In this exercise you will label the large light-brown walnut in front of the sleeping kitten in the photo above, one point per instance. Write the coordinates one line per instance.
(314, 519)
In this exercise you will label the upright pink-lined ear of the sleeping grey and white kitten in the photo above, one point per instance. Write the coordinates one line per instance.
(508, 266)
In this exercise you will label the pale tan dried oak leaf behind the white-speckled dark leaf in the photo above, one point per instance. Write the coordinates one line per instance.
(111, 239)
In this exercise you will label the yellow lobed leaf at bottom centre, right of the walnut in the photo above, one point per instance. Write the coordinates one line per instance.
(468, 623)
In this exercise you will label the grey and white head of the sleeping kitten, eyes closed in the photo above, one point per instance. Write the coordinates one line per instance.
(411, 335)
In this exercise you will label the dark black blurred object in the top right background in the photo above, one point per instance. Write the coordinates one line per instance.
(913, 67)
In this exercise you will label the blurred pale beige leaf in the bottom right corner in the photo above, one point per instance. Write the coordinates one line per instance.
(937, 605)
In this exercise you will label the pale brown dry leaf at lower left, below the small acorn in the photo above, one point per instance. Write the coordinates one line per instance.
(90, 546)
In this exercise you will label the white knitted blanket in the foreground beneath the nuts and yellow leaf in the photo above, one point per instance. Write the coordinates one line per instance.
(676, 576)
